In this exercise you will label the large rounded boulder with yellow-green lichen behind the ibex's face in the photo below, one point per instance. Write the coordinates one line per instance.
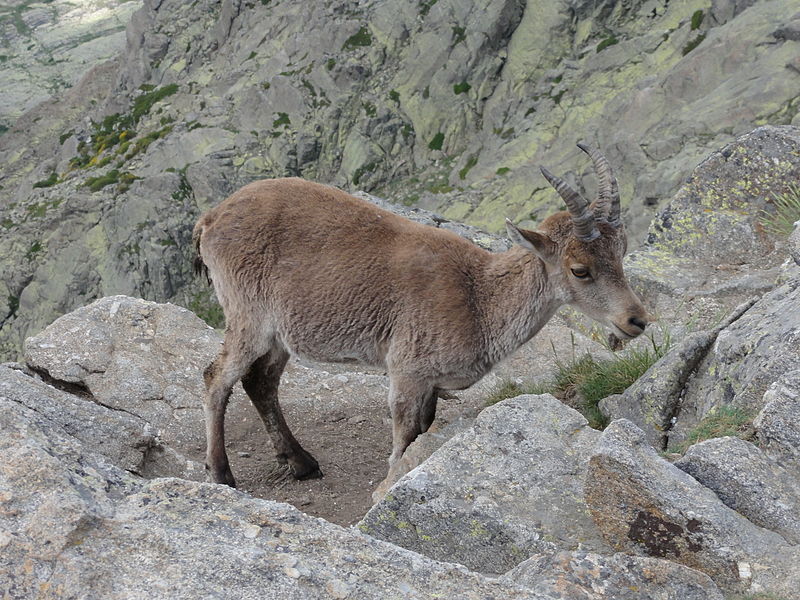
(709, 240)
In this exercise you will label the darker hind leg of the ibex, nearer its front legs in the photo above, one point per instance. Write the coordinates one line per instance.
(261, 384)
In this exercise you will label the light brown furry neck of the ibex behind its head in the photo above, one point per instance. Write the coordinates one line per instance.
(521, 300)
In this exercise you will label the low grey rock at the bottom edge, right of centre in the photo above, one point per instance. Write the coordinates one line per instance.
(584, 575)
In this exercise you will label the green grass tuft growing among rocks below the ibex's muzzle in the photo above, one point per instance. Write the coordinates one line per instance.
(584, 381)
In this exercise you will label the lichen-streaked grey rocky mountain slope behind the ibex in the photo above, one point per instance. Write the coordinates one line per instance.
(444, 104)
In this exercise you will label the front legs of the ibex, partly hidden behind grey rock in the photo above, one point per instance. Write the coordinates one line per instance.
(409, 401)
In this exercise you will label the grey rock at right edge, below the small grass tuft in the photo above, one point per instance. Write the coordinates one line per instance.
(746, 480)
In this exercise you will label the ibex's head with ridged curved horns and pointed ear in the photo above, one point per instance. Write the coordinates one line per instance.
(582, 249)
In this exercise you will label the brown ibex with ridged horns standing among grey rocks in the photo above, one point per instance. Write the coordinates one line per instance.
(305, 269)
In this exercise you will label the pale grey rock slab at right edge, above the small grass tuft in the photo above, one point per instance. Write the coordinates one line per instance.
(747, 357)
